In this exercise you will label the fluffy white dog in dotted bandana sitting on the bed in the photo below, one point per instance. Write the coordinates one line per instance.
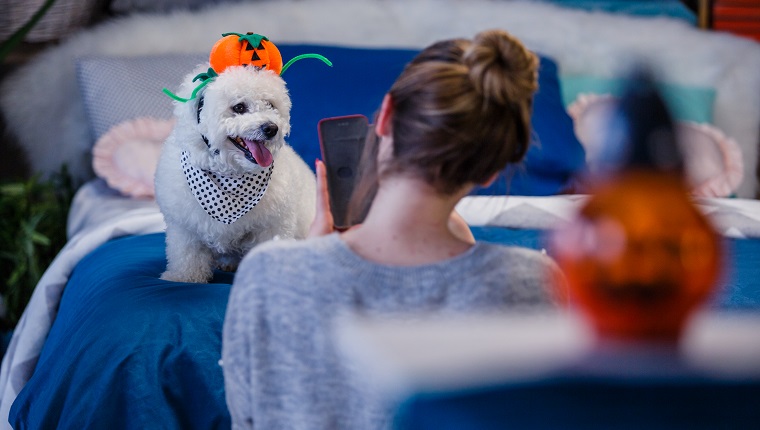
(226, 179)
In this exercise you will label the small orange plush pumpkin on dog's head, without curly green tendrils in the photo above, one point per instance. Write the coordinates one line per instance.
(248, 49)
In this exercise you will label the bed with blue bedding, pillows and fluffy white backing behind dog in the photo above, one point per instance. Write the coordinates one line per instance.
(105, 343)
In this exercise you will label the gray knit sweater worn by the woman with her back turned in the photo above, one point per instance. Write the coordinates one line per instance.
(281, 367)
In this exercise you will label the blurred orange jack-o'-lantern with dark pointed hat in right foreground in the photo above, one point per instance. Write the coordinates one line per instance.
(640, 257)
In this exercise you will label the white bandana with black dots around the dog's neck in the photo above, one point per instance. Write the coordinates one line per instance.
(226, 198)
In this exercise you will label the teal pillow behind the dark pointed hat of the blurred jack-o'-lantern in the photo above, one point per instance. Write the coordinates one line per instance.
(687, 103)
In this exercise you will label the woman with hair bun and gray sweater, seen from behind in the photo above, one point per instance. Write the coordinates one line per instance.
(455, 117)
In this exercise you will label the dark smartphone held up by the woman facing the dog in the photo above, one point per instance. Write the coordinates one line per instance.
(341, 140)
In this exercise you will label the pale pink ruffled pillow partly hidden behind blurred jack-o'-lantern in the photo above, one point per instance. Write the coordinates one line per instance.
(713, 161)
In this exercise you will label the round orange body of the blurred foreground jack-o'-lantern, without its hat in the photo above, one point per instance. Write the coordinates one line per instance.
(639, 258)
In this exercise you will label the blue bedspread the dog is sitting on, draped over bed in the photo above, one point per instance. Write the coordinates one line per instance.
(128, 350)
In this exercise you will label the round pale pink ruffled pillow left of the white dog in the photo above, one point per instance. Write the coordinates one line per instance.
(127, 154)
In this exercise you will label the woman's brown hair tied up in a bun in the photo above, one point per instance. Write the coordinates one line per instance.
(460, 112)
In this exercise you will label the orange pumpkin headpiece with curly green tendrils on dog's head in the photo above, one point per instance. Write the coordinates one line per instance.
(250, 49)
